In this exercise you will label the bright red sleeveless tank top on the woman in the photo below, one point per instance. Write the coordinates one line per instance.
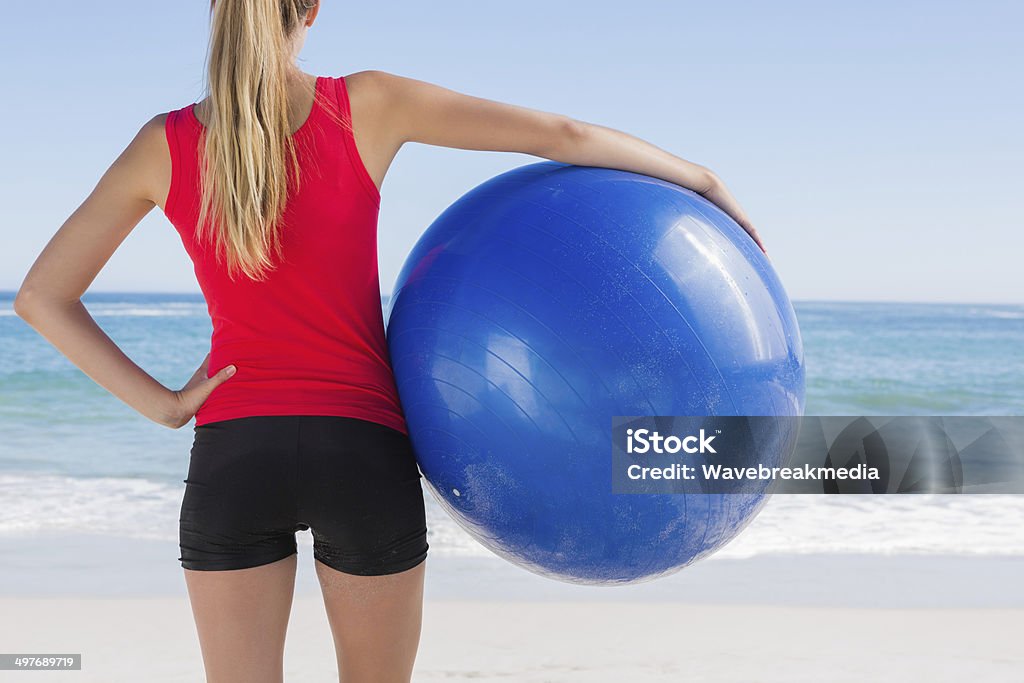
(310, 339)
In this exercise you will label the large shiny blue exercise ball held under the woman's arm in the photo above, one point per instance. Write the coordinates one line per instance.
(548, 301)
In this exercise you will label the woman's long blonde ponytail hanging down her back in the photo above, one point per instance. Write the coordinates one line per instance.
(248, 144)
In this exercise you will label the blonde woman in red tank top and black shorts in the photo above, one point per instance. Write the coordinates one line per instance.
(273, 183)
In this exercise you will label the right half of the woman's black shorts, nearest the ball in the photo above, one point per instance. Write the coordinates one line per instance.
(362, 496)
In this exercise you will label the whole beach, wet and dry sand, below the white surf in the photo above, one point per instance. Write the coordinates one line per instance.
(812, 618)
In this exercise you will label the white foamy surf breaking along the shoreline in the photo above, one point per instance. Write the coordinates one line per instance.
(964, 526)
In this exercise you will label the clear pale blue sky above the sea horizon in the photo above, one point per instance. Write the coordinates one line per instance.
(877, 146)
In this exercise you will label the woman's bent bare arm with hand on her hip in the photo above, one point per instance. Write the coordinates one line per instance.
(50, 298)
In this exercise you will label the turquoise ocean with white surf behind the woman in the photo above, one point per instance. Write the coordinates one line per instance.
(76, 460)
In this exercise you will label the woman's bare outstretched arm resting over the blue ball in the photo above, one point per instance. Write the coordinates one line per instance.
(420, 112)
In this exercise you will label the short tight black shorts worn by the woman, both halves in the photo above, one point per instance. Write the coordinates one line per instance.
(254, 482)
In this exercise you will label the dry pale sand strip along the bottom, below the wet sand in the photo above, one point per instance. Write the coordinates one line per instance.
(153, 639)
